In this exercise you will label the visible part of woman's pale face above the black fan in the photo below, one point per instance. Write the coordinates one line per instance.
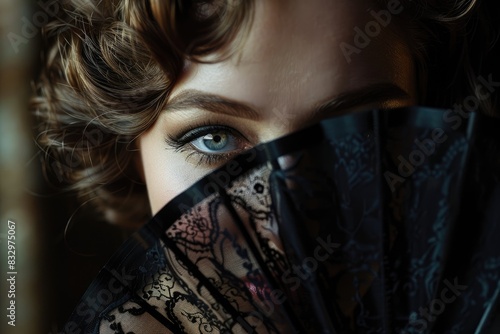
(292, 63)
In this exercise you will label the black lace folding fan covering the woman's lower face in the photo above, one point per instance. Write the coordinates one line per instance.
(386, 221)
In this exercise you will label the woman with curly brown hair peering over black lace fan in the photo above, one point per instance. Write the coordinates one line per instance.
(140, 99)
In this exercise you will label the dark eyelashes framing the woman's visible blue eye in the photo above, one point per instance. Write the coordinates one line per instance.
(181, 142)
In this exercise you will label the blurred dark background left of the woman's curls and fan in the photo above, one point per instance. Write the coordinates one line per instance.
(60, 247)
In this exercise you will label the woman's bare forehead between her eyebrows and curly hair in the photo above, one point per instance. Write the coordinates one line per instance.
(295, 56)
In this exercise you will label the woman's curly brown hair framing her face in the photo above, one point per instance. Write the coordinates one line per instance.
(108, 68)
